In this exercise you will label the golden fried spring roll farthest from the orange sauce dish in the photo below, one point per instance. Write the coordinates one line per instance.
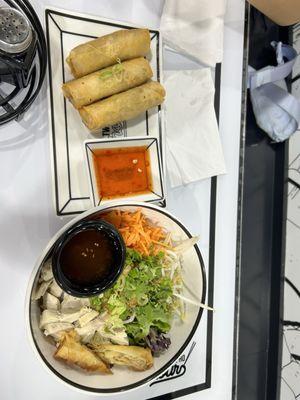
(105, 51)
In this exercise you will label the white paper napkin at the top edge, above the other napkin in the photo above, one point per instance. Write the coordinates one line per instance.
(195, 28)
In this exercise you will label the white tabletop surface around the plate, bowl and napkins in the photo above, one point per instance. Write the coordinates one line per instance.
(28, 220)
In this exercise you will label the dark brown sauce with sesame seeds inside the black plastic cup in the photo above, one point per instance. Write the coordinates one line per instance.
(88, 257)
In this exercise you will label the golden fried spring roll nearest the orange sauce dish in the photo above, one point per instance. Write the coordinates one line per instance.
(122, 106)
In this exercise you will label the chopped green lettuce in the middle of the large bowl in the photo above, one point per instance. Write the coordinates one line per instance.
(142, 295)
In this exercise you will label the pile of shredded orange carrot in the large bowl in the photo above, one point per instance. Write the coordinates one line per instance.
(137, 231)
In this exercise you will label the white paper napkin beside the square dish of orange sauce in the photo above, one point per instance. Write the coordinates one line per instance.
(194, 148)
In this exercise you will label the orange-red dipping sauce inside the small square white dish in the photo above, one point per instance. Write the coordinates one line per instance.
(122, 172)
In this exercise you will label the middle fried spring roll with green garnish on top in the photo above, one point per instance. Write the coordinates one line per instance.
(107, 81)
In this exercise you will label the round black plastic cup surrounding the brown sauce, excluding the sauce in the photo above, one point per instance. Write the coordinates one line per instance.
(66, 236)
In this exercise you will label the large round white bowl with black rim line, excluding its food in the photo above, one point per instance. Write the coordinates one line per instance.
(181, 332)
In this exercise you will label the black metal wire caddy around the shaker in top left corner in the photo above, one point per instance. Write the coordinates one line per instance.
(24, 72)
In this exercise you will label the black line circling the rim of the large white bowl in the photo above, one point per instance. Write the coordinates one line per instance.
(172, 360)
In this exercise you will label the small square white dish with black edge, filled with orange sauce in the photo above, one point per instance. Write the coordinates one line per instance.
(124, 169)
